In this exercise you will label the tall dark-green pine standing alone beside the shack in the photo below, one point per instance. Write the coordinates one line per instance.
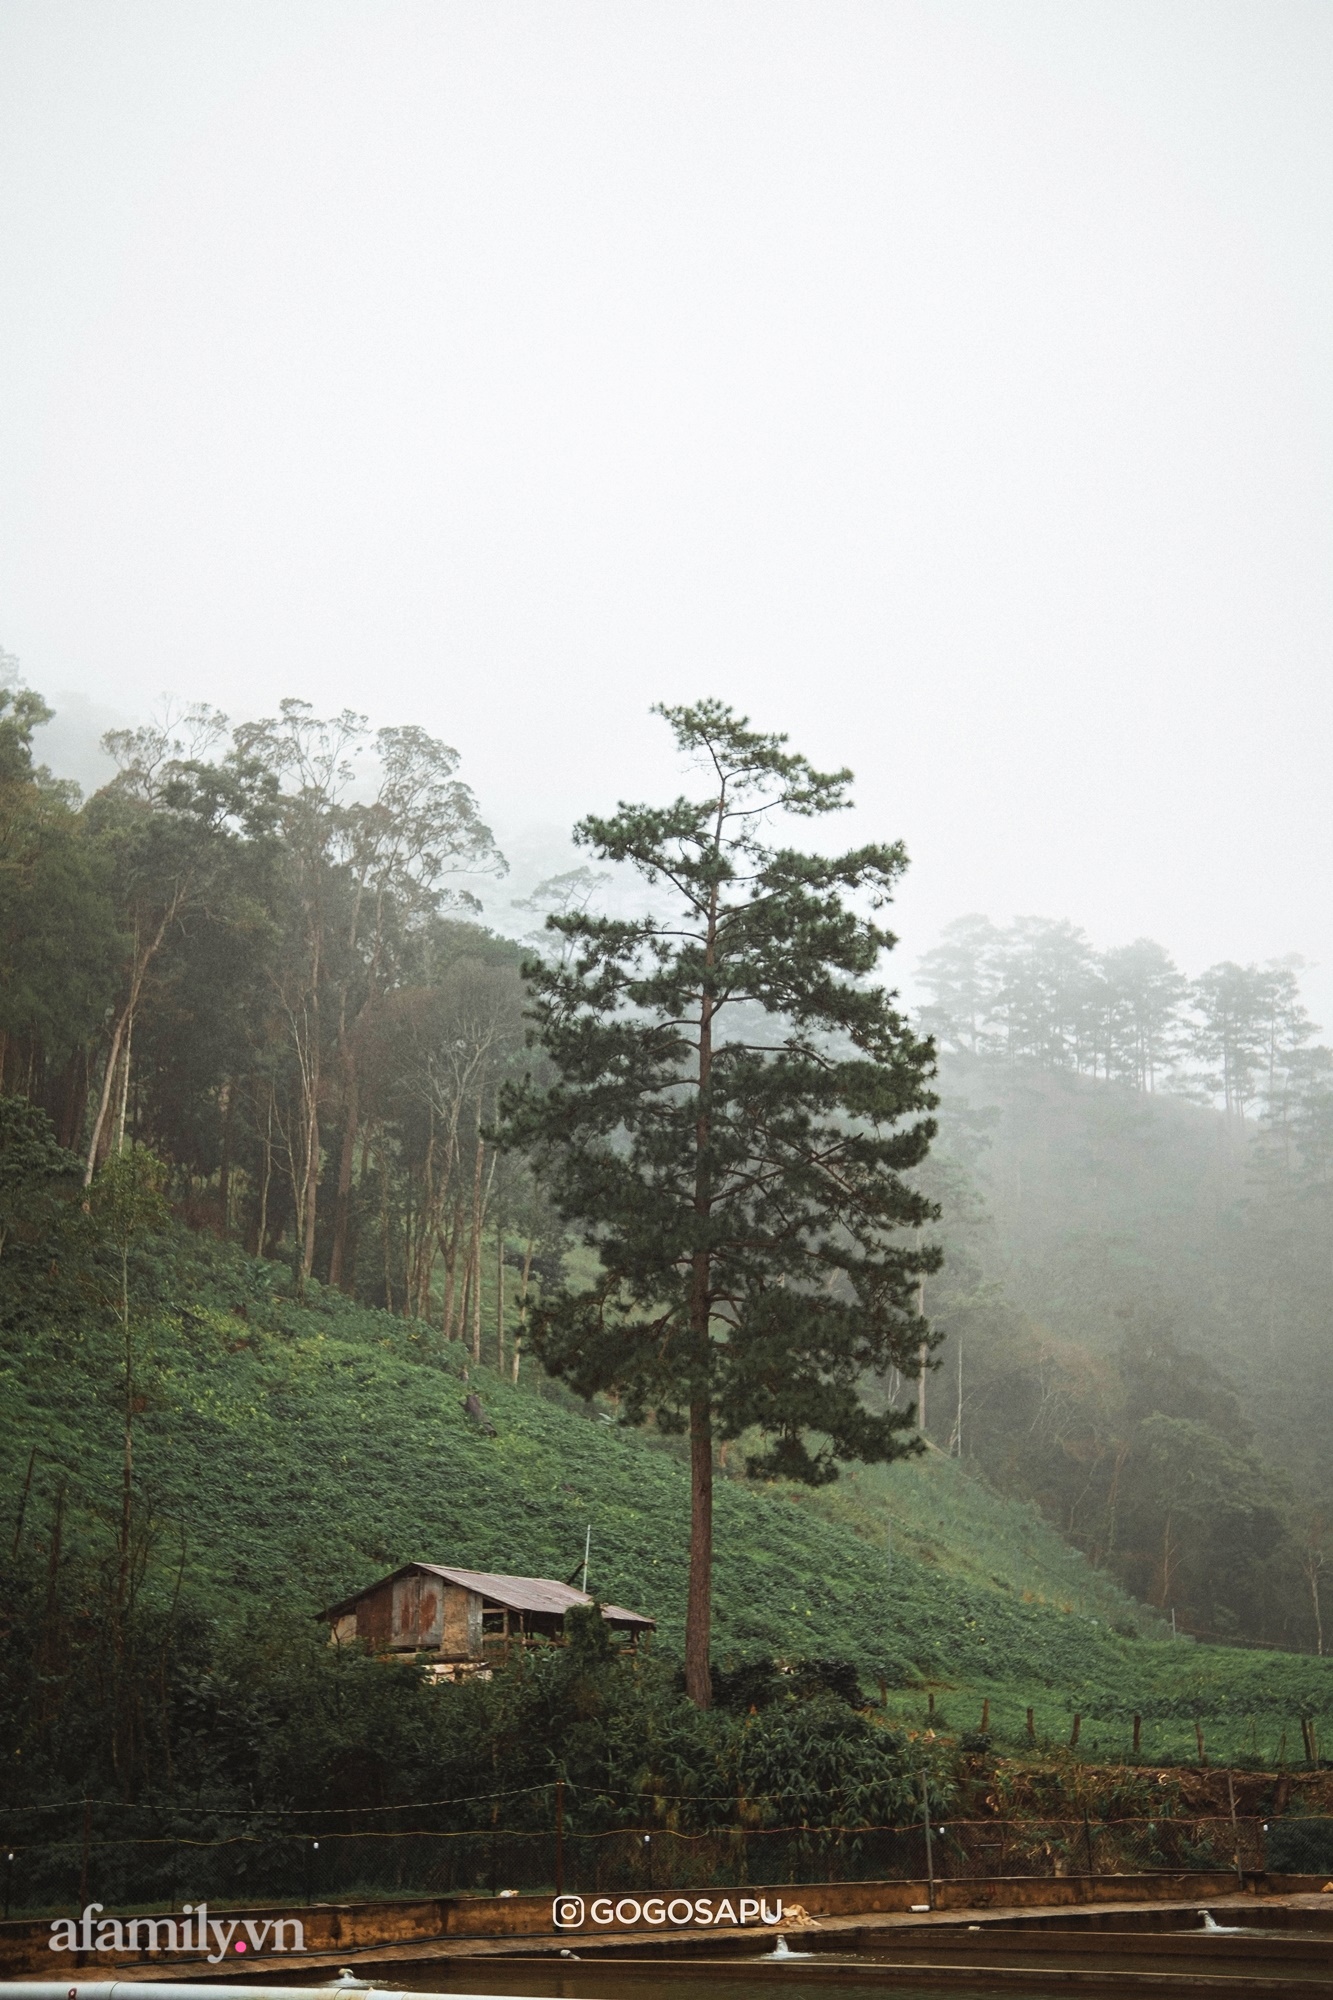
(736, 1109)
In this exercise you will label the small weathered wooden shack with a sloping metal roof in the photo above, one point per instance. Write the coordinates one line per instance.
(461, 1621)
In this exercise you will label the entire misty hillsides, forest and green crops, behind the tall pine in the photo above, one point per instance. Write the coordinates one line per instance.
(245, 993)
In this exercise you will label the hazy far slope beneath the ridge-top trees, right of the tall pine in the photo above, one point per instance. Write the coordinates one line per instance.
(1146, 1341)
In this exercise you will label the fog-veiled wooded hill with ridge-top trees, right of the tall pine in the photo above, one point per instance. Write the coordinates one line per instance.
(1140, 1281)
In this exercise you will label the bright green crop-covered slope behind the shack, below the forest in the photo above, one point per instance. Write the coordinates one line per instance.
(297, 1451)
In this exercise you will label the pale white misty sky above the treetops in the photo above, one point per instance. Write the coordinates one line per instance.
(948, 385)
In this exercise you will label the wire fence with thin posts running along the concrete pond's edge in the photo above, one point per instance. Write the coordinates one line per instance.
(255, 1861)
